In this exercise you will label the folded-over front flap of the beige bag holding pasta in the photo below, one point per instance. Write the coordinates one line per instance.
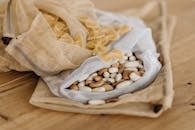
(45, 55)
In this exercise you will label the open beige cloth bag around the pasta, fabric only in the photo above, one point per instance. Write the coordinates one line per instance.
(34, 44)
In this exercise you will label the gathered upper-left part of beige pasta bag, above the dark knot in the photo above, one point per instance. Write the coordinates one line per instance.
(19, 15)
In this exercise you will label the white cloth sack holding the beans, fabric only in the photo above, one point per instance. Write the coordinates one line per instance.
(139, 40)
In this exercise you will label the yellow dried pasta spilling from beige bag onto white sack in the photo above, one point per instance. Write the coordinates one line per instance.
(98, 39)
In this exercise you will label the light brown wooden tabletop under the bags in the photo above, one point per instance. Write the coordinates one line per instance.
(16, 88)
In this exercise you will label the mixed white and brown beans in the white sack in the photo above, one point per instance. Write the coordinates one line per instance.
(119, 75)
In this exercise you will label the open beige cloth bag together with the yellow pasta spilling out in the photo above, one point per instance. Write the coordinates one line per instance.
(36, 47)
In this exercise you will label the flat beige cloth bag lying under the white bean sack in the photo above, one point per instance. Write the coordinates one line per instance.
(148, 102)
